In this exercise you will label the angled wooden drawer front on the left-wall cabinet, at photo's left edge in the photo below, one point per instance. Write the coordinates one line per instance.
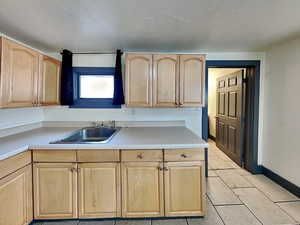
(14, 163)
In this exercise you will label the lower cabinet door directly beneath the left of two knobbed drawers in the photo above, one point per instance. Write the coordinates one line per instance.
(142, 189)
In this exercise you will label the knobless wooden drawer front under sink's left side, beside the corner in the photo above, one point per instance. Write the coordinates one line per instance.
(54, 155)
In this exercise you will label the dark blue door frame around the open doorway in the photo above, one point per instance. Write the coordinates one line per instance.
(252, 144)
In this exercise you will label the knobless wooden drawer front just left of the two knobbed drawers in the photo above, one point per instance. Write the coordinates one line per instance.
(107, 155)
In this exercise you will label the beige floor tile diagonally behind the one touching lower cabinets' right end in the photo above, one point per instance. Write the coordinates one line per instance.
(233, 179)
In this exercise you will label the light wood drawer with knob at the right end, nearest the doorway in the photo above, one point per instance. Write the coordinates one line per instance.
(173, 155)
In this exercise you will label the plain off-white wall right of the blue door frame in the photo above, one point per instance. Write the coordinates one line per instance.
(281, 151)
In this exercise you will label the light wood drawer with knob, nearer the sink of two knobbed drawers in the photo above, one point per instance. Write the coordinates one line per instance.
(142, 155)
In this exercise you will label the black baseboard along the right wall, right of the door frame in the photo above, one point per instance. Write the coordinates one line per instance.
(294, 189)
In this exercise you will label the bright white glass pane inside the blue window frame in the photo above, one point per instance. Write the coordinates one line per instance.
(93, 86)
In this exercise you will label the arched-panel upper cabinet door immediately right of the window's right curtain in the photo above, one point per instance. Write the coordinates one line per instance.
(138, 80)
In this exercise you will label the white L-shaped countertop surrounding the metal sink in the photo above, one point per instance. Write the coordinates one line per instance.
(126, 138)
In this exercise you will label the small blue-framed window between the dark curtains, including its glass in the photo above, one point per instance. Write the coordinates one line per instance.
(94, 87)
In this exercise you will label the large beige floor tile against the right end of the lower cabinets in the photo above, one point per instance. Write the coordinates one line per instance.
(219, 193)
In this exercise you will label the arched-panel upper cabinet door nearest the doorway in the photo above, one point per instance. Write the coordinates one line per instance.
(192, 70)
